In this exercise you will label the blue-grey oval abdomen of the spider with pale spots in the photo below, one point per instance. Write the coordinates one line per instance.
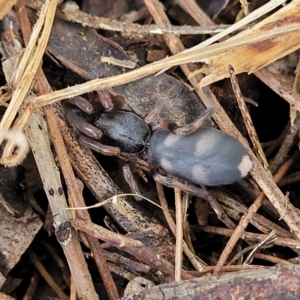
(208, 156)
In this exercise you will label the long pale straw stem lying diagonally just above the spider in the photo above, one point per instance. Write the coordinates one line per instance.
(178, 59)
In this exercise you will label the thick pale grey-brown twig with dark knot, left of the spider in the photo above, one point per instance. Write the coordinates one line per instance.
(52, 184)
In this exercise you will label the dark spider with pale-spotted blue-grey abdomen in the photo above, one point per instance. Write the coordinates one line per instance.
(200, 155)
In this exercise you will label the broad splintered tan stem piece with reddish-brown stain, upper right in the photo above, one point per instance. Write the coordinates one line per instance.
(265, 51)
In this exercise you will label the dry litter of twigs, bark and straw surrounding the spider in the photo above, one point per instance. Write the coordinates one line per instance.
(52, 52)
